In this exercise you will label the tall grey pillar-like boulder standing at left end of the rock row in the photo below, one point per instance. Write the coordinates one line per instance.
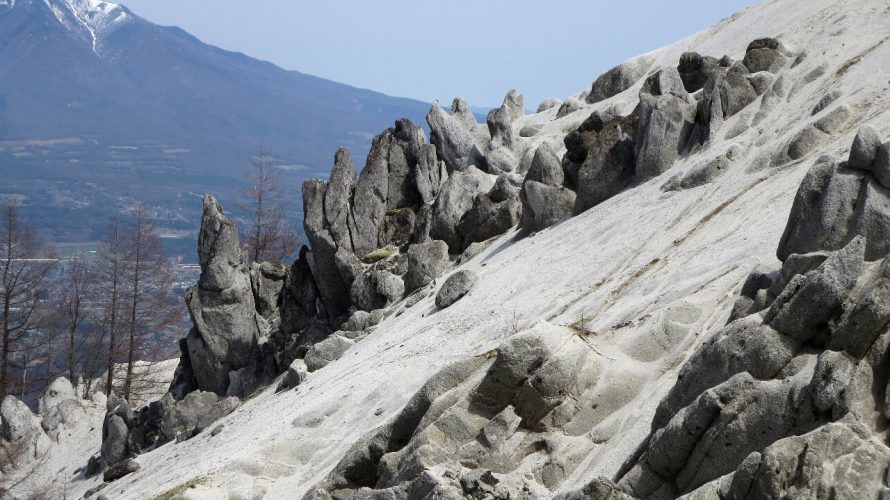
(222, 307)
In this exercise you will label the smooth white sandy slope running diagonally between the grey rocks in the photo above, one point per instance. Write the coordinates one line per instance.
(629, 268)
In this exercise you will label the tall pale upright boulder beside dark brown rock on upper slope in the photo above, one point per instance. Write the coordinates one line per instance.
(665, 112)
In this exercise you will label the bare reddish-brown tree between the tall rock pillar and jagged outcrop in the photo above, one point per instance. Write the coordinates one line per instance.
(269, 234)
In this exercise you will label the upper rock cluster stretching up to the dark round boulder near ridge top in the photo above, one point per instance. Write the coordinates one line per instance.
(609, 153)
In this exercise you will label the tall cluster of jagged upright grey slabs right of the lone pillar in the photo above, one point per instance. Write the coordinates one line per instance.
(390, 205)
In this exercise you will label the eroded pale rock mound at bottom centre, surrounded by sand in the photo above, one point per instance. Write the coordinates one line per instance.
(465, 433)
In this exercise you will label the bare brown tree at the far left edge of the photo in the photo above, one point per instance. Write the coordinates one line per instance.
(24, 266)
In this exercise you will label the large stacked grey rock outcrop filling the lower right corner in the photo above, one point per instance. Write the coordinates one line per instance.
(796, 386)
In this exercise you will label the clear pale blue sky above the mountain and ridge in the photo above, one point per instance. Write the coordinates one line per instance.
(428, 50)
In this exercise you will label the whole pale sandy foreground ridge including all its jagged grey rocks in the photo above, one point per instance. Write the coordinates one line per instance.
(671, 285)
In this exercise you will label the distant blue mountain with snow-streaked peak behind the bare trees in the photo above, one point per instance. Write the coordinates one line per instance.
(100, 108)
